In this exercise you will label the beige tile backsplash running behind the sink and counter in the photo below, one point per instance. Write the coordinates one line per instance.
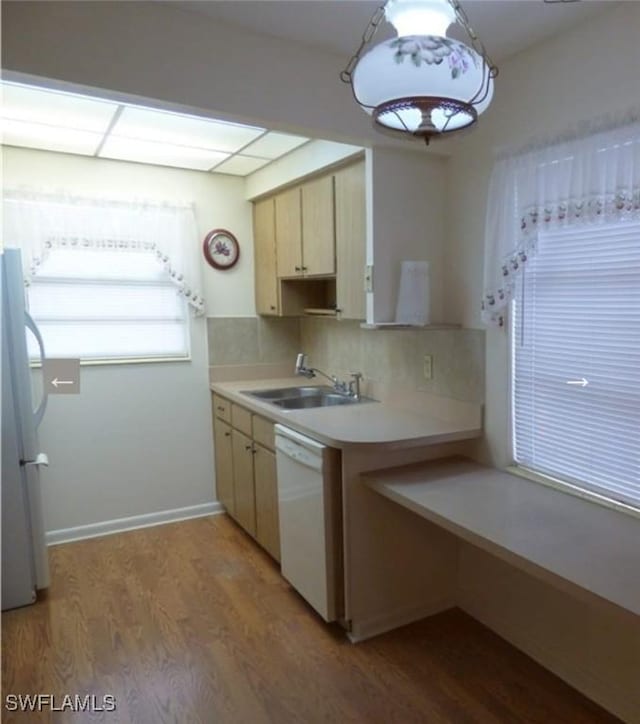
(393, 357)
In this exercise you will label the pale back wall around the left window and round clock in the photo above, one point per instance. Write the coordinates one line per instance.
(122, 447)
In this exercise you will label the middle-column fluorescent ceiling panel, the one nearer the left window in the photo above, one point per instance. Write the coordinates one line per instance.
(162, 154)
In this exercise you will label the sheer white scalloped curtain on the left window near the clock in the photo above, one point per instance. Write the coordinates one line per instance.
(37, 223)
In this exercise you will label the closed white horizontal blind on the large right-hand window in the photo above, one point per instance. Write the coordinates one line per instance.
(576, 359)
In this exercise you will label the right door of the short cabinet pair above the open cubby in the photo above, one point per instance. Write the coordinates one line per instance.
(318, 228)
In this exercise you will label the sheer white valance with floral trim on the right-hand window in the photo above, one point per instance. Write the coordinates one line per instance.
(589, 180)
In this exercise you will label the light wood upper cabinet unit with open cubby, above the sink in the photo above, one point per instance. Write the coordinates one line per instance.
(319, 229)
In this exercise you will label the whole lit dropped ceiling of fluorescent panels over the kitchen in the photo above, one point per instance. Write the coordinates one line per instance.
(70, 123)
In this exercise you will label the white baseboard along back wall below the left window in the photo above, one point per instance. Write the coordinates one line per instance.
(119, 525)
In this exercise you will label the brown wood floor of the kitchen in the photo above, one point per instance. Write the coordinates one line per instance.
(191, 622)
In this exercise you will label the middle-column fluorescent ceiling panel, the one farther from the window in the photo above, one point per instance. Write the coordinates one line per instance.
(152, 125)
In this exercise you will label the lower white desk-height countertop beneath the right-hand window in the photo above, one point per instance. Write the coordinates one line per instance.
(524, 523)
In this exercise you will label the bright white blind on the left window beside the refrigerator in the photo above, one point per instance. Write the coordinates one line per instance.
(107, 304)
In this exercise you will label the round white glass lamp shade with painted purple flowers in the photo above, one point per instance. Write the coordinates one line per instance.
(423, 84)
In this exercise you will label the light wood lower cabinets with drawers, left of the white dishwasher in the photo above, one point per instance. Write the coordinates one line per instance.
(246, 479)
